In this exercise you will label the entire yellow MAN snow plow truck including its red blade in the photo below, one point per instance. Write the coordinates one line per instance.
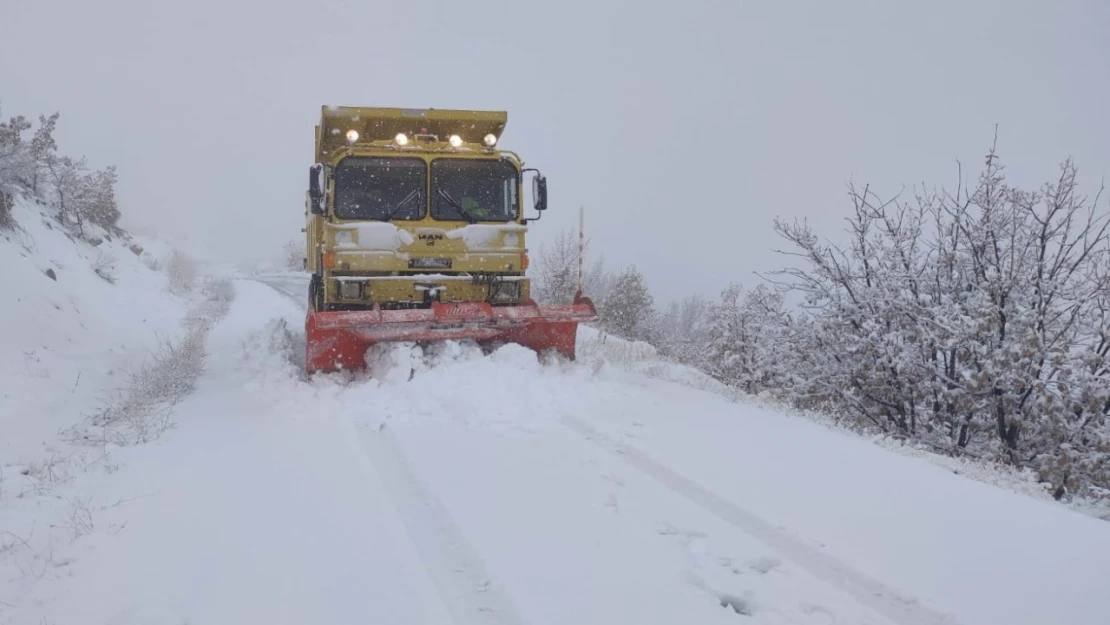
(416, 233)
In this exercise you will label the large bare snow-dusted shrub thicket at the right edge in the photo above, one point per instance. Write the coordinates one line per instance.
(974, 322)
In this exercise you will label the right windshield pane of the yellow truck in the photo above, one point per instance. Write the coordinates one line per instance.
(475, 190)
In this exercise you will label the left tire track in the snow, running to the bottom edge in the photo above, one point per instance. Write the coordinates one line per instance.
(460, 576)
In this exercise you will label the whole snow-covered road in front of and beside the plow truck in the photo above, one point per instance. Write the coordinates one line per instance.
(506, 490)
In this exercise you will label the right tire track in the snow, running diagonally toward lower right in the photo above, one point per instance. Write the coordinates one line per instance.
(839, 574)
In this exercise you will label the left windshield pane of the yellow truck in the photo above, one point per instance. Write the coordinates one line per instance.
(380, 188)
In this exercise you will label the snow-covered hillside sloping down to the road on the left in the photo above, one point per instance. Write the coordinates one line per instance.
(99, 337)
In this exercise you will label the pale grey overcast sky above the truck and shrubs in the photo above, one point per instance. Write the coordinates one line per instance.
(684, 128)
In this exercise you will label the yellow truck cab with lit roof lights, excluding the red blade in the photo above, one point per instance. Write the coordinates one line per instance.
(407, 207)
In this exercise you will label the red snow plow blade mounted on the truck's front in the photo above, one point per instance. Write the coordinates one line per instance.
(338, 340)
